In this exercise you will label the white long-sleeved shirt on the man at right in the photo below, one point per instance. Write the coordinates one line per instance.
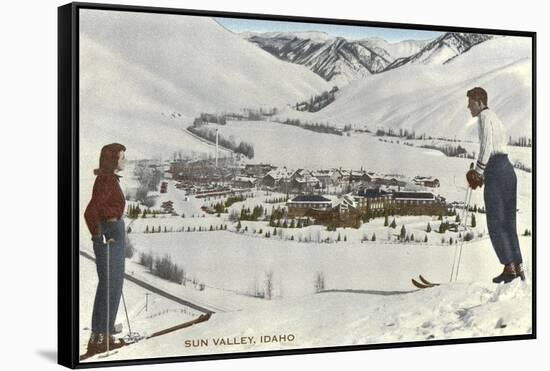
(492, 138)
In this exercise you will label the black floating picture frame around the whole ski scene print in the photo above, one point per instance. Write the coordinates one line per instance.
(68, 182)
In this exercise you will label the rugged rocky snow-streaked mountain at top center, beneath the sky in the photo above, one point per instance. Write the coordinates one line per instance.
(336, 59)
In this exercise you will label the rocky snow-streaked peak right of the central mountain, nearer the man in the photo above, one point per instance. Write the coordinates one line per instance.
(442, 49)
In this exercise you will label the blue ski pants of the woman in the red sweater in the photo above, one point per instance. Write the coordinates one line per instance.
(101, 321)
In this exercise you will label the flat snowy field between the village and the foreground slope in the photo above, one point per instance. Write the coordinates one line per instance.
(235, 262)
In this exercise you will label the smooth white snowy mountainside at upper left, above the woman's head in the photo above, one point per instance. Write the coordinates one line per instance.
(137, 69)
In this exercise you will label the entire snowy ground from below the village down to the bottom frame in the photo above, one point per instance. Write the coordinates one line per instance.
(367, 298)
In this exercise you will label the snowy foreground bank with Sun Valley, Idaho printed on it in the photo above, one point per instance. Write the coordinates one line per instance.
(357, 317)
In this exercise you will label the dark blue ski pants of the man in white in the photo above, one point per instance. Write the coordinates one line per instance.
(500, 205)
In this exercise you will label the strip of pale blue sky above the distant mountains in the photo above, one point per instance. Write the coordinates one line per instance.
(348, 32)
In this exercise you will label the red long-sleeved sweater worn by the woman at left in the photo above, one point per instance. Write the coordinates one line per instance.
(107, 201)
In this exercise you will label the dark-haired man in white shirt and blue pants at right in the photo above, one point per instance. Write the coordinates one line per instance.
(494, 170)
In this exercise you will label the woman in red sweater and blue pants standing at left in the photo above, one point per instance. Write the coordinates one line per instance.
(103, 217)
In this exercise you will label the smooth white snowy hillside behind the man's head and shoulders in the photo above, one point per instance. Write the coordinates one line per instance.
(432, 99)
